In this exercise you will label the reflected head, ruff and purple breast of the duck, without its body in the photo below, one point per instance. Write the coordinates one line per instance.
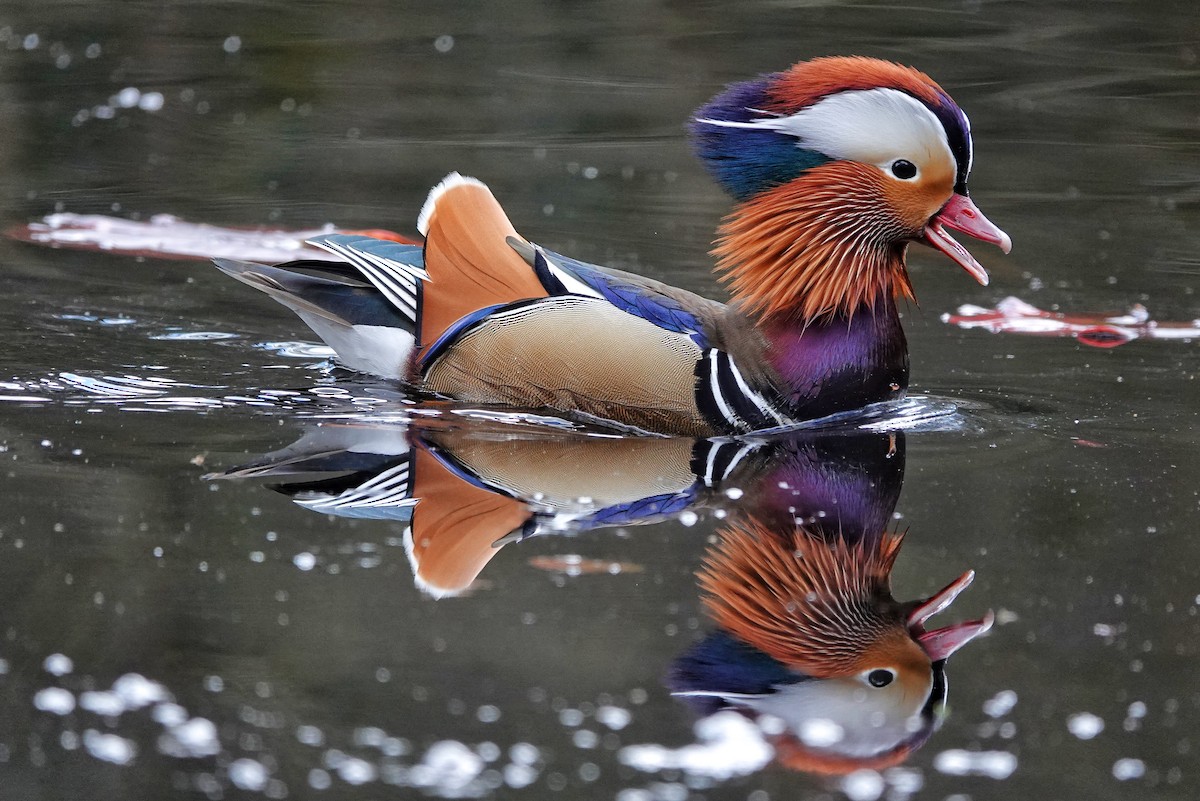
(807, 630)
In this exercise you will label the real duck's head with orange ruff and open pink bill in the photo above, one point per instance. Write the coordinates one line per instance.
(838, 165)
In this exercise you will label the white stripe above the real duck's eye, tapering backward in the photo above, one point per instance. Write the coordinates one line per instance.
(874, 127)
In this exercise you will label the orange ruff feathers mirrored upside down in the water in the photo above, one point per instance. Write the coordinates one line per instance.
(814, 606)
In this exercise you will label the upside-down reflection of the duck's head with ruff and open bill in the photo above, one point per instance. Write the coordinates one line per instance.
(811, 635)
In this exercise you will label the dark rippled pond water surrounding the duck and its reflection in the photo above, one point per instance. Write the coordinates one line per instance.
(302, 660)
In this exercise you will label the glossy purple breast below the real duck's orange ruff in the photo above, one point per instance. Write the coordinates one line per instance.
(839, 363)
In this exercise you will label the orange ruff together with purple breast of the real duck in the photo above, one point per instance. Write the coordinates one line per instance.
(818, 262)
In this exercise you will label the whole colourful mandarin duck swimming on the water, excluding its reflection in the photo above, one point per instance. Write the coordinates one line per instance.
(836, 166)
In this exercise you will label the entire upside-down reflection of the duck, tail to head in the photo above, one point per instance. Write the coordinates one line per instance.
(808, 641)
